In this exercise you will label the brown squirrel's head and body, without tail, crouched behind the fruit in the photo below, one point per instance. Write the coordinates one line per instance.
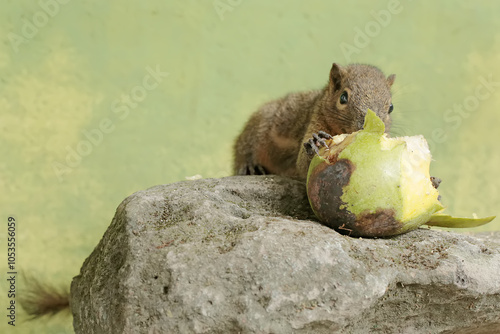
(281, 137)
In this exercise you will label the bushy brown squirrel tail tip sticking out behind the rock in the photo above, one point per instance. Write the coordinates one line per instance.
(40, 299)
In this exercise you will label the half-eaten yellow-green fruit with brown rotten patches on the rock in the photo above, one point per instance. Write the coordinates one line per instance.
(367, 184)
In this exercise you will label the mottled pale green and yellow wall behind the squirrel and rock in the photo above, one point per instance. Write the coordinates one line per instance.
(68, 66)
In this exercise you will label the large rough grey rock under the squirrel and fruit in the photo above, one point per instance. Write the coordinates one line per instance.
(245, 255)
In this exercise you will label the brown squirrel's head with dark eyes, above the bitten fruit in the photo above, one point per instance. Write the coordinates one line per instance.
(354, 89)
